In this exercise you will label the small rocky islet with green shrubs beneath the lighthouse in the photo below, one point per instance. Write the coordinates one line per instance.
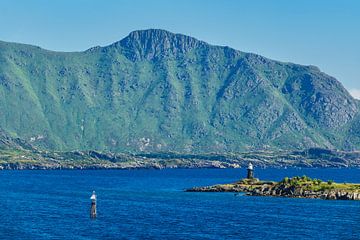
(295, 187)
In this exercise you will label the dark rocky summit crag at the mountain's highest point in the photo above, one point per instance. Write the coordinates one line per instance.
(154, 43)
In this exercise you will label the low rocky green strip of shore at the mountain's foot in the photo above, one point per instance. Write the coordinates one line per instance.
(32, 158)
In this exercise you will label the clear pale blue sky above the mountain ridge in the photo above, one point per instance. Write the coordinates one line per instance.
(325, 33)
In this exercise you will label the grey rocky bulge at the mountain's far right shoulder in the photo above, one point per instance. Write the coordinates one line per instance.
(311, 93)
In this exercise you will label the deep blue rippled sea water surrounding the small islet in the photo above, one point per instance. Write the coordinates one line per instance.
(151, 204)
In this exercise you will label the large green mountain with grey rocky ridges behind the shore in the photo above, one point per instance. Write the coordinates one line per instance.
(156, 91)
